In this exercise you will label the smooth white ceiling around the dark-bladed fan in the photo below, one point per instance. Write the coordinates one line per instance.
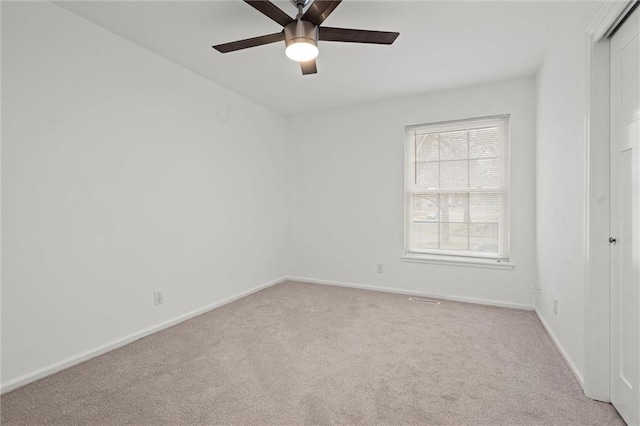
(441, 45)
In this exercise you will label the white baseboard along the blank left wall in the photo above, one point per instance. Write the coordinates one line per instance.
(84, 356)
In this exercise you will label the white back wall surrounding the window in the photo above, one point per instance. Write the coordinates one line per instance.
(347, 201)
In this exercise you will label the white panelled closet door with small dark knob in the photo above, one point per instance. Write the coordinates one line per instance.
(625, 219)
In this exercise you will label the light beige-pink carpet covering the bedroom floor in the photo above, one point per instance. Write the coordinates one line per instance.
(310, 354)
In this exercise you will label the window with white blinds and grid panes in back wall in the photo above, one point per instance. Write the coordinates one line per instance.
(457, 192)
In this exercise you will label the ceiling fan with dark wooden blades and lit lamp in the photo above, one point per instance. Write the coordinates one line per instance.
(301, 35)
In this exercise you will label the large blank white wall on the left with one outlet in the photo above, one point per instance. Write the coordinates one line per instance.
(122, 173)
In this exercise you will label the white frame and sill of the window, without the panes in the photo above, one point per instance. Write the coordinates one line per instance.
(465, 258)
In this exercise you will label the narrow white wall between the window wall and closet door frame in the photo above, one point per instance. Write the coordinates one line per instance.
(561, 184)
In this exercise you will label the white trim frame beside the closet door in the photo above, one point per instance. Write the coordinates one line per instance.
(597, 297)
